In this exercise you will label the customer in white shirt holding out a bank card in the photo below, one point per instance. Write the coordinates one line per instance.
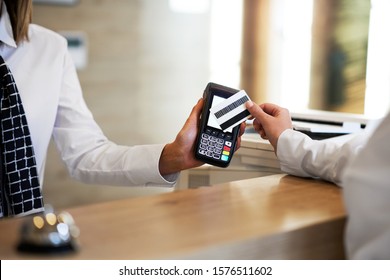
(360, 165)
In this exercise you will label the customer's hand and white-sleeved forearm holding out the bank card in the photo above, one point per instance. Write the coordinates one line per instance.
(297, 153)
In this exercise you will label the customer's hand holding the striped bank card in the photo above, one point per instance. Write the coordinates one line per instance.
(270, 120)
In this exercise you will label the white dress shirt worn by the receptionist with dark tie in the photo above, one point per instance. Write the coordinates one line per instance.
(52, 97)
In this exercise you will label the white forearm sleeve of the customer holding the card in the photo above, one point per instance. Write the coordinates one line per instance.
(299, 155)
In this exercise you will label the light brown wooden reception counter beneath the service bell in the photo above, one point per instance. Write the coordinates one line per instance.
(272, 217)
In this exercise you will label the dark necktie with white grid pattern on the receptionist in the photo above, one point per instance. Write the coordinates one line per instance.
(20, 193)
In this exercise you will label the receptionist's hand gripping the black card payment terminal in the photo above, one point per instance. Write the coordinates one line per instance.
(179, 155)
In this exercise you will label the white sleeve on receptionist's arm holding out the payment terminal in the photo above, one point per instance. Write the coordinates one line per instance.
(89, 156)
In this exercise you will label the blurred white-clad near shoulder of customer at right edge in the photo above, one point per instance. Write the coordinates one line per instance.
(367, 198)
